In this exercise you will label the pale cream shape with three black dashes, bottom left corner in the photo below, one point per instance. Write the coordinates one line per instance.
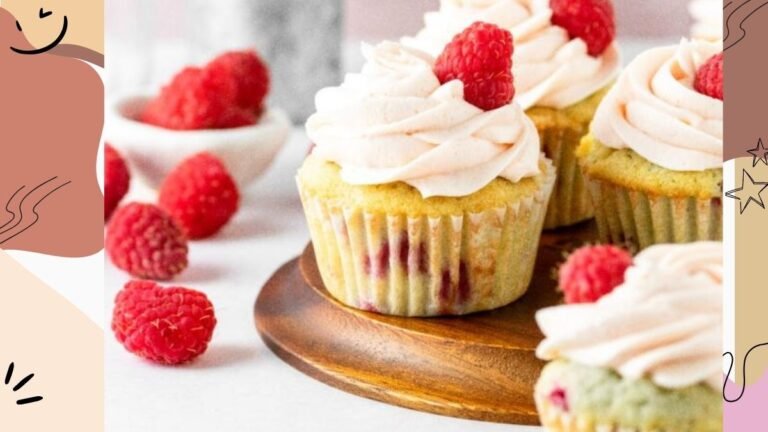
(41, 333)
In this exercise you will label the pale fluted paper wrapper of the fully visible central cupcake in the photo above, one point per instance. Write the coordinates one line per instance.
(426, 266)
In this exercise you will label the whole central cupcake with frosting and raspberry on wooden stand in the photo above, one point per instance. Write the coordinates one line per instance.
(420, 203)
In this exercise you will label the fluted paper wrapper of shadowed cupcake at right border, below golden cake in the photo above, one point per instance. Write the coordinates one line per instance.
(637, 218)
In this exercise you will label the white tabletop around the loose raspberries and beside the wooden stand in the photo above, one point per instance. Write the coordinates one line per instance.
(239, 384)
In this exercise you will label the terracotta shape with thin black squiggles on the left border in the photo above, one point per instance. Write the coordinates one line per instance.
(51, 119)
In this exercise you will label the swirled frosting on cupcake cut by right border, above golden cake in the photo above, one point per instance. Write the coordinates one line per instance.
(654, 110)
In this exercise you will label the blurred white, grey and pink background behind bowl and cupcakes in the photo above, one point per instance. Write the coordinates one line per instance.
(308, 43)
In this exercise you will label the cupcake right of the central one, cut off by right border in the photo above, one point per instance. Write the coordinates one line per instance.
(653, 160)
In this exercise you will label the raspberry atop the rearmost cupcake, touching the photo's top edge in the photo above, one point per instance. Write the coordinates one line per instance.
(593, 21)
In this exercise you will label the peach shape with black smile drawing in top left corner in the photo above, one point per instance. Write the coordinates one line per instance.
(85, 30)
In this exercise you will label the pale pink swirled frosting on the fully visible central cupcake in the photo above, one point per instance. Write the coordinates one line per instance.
(394, 121)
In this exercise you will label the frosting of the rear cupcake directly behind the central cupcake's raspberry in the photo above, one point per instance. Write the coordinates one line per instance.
(550, 69)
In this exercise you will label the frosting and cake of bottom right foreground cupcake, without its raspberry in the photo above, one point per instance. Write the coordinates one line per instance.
(644, 357)
